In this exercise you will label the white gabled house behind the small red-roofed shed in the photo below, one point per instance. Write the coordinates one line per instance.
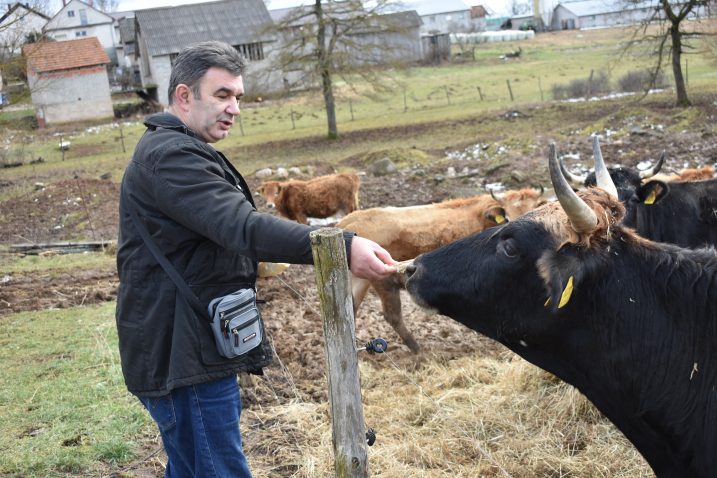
(77, 19)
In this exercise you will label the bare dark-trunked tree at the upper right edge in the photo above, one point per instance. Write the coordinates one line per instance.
(669, 32)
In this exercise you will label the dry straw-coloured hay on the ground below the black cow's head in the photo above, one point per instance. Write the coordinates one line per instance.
(466, 417)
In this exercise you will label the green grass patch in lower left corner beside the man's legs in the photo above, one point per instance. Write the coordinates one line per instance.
(65, 409)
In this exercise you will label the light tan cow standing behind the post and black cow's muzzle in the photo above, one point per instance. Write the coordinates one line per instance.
(406, 232)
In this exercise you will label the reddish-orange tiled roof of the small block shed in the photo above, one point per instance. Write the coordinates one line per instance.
(65, 55)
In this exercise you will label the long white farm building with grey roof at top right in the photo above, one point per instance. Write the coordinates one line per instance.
(599, 13)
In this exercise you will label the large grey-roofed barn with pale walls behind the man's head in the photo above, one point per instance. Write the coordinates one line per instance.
(161, 33)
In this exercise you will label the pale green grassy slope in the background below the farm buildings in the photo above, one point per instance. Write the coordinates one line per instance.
(418, 96)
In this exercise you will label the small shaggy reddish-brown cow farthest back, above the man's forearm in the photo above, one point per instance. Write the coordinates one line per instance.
(319, 197)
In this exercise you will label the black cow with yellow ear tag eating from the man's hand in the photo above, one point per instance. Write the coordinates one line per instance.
(630, 322)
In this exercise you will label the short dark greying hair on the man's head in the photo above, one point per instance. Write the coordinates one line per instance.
(194, 60)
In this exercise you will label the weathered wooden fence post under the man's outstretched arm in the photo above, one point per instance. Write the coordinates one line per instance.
(347, 421)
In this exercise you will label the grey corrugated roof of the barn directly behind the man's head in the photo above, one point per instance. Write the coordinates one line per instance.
(167, 30)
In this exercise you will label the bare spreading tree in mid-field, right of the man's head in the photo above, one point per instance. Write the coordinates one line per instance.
(344, 39)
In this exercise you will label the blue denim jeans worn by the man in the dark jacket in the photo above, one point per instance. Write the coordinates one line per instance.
(200, 430)
